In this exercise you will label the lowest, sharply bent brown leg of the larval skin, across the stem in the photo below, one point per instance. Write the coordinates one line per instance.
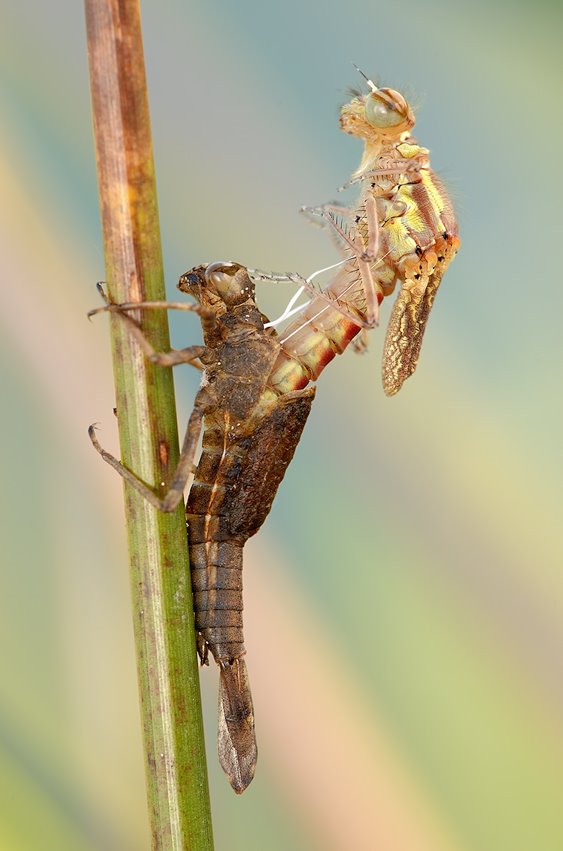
(183, 470)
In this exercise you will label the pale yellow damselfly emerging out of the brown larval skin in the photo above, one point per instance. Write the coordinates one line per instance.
(403, 230)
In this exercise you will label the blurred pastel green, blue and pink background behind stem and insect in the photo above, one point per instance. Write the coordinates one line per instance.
(404, 601)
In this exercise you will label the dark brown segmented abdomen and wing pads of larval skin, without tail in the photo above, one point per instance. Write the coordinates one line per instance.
(235, 483)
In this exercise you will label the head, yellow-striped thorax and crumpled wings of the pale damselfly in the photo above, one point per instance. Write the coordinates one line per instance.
(418, 234)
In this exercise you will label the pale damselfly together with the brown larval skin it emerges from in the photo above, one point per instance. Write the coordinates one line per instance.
(254, 400)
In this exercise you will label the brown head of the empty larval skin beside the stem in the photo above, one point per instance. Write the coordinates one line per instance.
(220, 281)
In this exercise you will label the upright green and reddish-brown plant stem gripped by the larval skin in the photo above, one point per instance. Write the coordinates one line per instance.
(178, 796)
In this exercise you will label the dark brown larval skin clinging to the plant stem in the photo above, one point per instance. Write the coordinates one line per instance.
(250, 434)
